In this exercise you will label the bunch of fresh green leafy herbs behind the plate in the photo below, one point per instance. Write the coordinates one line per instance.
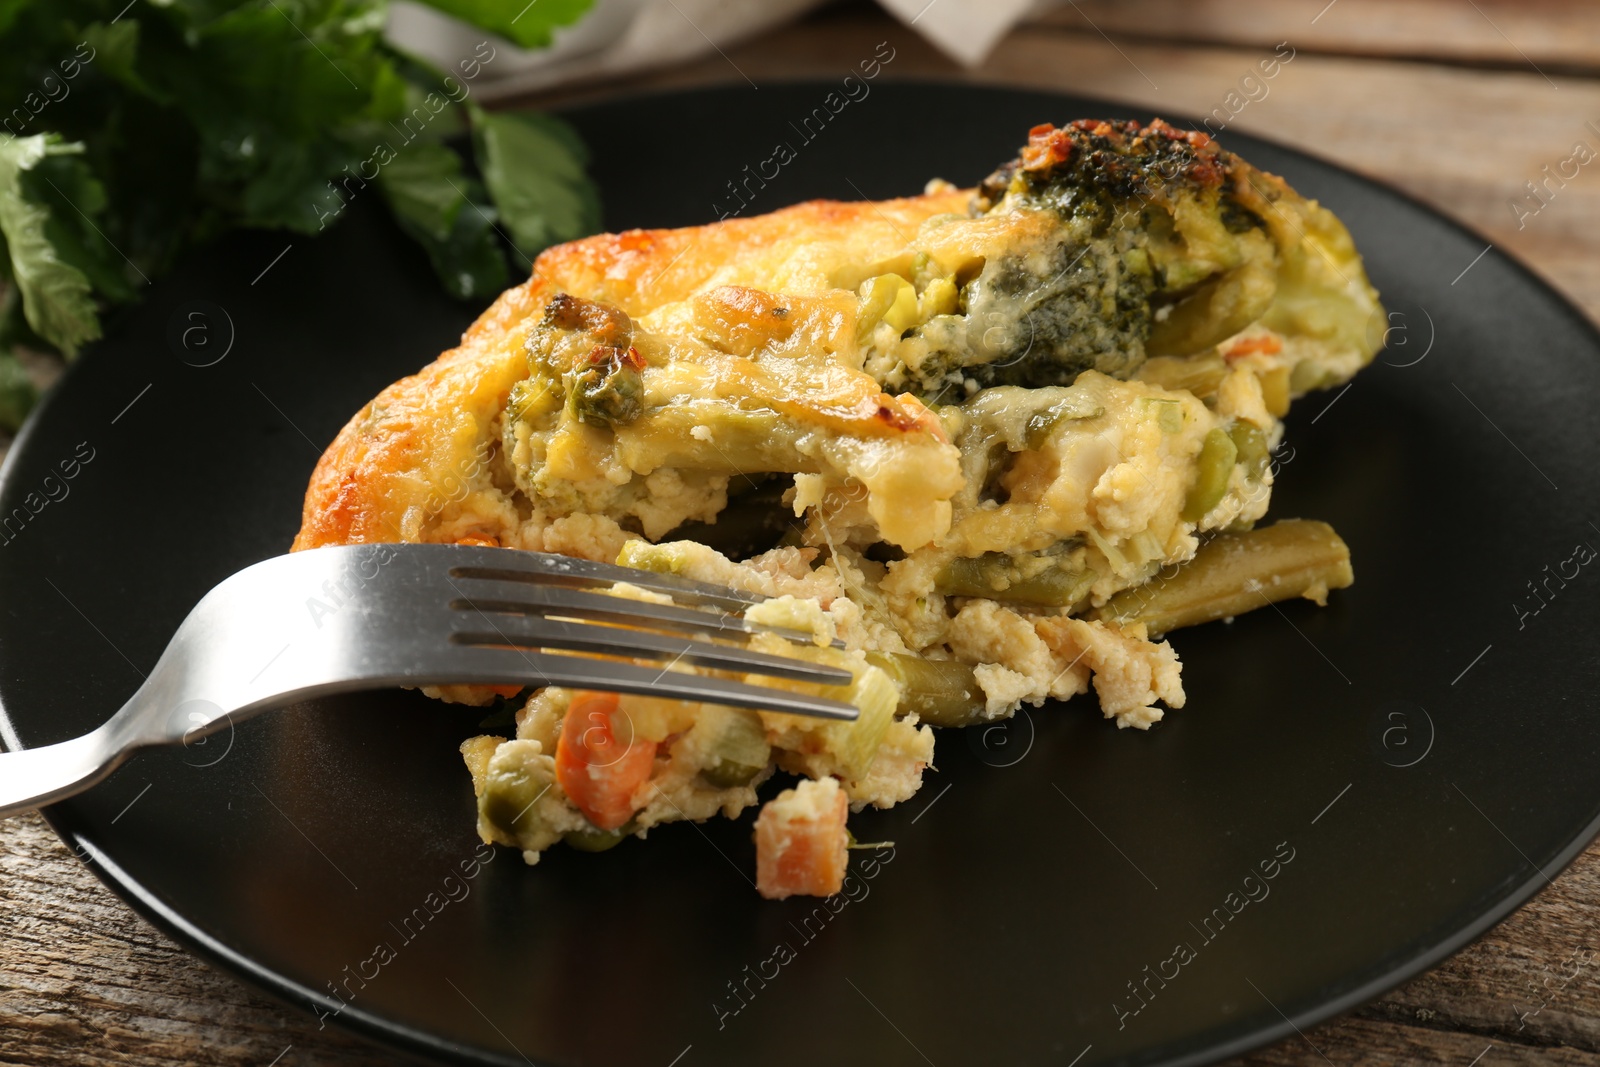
(132, 134)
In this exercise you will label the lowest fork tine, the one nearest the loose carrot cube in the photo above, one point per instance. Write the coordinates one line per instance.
(503, 666)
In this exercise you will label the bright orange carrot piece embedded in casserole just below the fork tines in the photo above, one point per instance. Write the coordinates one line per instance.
(599, 764)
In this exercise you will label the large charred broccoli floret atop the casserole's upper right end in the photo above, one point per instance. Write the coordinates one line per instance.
(1166, 246)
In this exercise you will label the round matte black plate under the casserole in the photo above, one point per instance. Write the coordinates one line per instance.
(1409, 764)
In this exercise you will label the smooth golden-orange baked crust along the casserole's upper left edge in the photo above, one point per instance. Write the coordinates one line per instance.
(423, 439)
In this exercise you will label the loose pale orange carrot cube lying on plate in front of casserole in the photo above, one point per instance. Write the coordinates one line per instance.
(801, 842)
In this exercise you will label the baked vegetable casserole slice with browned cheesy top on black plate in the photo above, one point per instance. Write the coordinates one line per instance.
(996, 441)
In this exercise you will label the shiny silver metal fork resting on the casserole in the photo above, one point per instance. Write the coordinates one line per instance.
(407, 615)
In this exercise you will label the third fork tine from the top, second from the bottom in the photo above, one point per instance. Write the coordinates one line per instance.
(609, 641)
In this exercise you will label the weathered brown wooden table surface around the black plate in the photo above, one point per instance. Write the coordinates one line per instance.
(1457, 102)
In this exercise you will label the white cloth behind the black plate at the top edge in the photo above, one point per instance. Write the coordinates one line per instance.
(631, 36)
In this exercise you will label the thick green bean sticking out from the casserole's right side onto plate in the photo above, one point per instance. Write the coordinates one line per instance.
(1239, 572)
